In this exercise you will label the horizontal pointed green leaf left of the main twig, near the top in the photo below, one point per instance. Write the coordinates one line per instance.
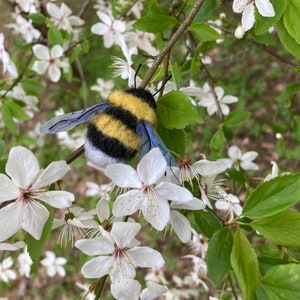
(155, 23)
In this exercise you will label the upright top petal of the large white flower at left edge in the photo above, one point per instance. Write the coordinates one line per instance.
(22, 166)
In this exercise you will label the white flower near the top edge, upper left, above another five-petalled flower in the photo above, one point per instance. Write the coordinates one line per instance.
(62, 18)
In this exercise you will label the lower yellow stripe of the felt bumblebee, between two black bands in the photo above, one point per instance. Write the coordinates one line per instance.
(114, 128)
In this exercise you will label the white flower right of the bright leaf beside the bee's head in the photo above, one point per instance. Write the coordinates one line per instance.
(210, 102)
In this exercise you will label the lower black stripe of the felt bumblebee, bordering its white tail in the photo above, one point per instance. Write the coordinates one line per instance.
(110, 146)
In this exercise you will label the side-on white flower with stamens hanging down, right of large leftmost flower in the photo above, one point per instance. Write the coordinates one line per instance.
(74, 224)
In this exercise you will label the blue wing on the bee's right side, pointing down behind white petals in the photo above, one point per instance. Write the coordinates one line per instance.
(149, 139)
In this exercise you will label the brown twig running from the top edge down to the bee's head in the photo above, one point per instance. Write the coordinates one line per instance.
(171, 43)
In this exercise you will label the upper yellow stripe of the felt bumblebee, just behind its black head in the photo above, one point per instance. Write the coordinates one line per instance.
(133, 104)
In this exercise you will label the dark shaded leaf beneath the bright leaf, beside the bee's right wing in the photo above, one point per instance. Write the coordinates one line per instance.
(174, 139)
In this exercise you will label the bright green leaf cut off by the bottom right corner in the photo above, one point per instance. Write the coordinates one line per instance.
(282, 282)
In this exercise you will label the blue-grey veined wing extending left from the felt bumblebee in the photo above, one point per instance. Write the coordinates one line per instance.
(73, 119)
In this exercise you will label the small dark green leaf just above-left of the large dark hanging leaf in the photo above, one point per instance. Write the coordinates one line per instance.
(206, 222)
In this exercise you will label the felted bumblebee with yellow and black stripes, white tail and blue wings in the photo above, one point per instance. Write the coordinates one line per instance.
(118, 129)
